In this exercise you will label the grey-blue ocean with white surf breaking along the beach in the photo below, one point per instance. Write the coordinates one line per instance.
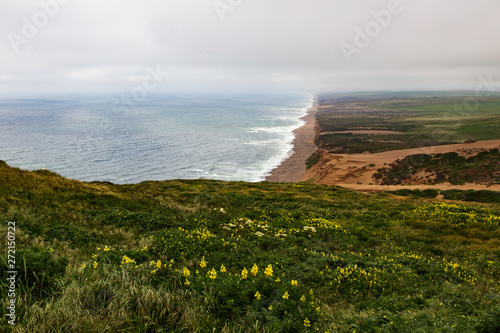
(225, 137)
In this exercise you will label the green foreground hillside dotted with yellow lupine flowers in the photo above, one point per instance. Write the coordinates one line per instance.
(204, 256)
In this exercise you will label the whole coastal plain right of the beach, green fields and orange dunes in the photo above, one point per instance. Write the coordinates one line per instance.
(379, 141)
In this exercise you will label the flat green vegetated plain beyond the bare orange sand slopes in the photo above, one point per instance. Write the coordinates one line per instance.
(380, 122)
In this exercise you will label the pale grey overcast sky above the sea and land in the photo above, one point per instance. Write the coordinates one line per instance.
(112, 46)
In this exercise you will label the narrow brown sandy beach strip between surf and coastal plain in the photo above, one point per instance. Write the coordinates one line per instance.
(294, 167)
